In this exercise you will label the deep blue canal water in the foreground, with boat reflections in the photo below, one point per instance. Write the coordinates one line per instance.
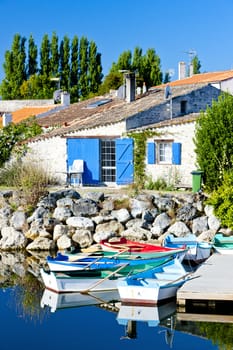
(35, 318)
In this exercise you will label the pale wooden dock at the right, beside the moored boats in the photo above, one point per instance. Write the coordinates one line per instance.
(212, 283)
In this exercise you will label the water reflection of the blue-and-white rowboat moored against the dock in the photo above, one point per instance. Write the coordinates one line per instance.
(151, 314)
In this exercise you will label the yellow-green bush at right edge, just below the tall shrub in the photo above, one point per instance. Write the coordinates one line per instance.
(222, 201)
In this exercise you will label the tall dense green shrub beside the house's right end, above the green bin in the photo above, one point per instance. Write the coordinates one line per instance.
(214, 142)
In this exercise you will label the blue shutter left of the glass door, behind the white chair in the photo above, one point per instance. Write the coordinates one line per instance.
(88, 150)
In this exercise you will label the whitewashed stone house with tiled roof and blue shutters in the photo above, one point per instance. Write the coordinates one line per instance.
(96, 132)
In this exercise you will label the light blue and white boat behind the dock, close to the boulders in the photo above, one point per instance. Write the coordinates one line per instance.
(197, 251)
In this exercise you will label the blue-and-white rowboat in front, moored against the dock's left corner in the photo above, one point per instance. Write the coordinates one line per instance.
(153, 285)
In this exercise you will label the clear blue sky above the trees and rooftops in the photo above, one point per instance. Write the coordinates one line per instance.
(171, 27)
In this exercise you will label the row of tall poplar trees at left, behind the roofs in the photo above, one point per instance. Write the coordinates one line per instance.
(78, 68)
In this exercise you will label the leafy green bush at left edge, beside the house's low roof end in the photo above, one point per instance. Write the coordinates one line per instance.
(12, 134)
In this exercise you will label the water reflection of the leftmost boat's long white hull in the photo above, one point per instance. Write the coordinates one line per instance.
(57, 301)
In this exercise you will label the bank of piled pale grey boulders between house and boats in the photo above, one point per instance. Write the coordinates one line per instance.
(64, 219)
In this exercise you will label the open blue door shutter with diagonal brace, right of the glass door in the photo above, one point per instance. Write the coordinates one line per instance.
(124, 161)
